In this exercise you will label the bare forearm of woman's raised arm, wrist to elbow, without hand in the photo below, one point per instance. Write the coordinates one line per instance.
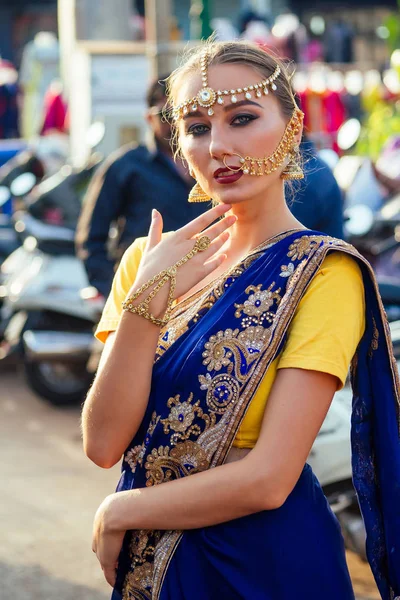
(116, 403)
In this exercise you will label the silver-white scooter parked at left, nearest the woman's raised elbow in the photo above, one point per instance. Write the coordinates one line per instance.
(46, 325)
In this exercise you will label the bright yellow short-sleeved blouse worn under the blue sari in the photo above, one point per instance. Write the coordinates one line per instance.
(323, 335)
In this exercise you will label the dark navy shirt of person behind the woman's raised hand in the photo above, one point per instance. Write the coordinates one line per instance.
(125, 190)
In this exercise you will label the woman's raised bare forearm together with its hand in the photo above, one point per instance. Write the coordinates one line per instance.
(117, 401)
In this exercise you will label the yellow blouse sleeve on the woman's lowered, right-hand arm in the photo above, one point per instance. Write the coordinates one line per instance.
(329, 320)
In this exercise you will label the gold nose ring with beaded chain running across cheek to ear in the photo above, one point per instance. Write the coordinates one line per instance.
(268, 164)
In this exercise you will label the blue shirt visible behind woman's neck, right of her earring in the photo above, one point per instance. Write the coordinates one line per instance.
(318, 202)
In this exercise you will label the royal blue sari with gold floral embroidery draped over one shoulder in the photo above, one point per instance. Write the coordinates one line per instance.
(210, 361)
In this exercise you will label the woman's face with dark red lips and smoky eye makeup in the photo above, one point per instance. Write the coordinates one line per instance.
(249, 128)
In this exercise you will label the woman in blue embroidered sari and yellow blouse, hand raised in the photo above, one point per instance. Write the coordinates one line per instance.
(253, 321)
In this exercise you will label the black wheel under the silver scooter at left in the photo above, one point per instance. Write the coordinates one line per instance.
(60, 383)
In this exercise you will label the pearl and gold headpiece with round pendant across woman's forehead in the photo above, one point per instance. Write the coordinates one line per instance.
(207, 97)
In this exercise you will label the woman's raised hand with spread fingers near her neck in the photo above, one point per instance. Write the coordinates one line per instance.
(162, 253)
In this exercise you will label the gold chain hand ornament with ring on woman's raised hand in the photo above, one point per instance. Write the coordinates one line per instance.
(142, 309)
